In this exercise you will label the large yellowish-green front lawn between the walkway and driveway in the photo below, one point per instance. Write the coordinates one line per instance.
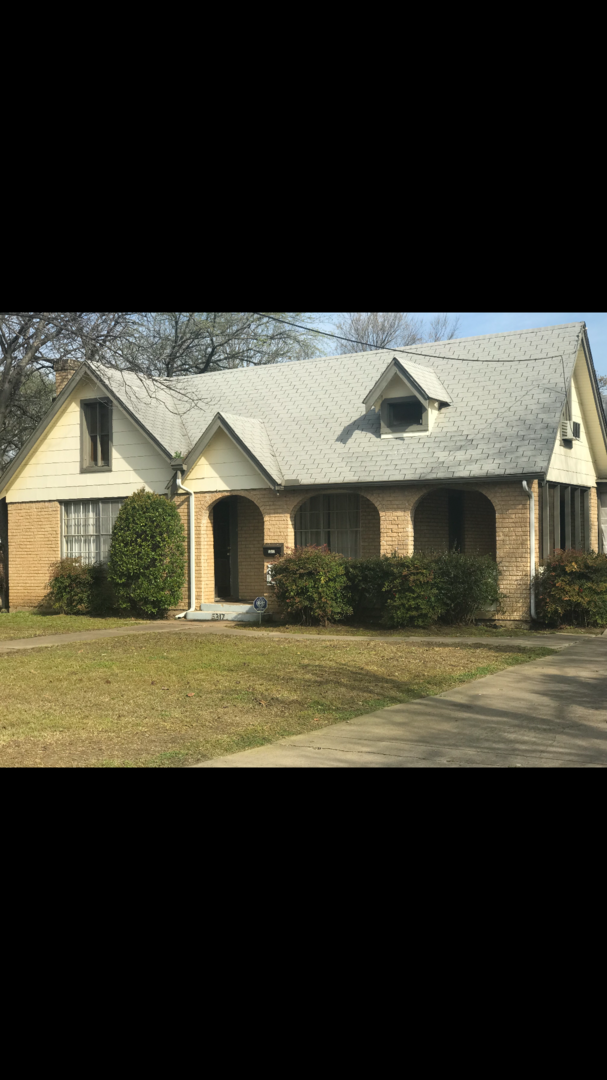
(139, 701)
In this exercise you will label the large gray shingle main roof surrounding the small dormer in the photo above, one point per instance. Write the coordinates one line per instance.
(305, 420)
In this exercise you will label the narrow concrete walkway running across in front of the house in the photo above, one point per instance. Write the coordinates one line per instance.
(552, 642)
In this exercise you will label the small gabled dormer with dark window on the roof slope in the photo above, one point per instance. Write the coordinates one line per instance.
(409, 399)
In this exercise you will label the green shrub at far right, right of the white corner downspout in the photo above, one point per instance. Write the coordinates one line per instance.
(572, 588)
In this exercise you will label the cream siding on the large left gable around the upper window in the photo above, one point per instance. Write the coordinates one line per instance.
(53, 469)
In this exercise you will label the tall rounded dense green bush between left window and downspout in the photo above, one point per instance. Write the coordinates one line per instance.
(147, 558)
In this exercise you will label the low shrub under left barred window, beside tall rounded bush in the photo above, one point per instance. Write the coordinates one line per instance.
(76, 588)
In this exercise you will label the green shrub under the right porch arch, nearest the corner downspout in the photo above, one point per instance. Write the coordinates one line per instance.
(468, 585)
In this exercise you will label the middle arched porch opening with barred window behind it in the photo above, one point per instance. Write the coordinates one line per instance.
(346, 522)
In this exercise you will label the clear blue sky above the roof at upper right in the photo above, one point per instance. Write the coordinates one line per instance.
(497, 322)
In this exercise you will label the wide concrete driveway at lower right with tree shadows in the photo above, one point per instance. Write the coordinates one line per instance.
(549, 713)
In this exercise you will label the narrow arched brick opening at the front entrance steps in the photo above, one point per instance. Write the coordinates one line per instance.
(238, 549)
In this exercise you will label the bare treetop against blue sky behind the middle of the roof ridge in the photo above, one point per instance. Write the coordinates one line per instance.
(392, 330)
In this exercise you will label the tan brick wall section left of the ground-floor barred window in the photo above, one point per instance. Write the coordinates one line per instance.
(34, 544)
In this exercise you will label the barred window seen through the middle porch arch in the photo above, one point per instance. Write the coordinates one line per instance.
(331, 520)
